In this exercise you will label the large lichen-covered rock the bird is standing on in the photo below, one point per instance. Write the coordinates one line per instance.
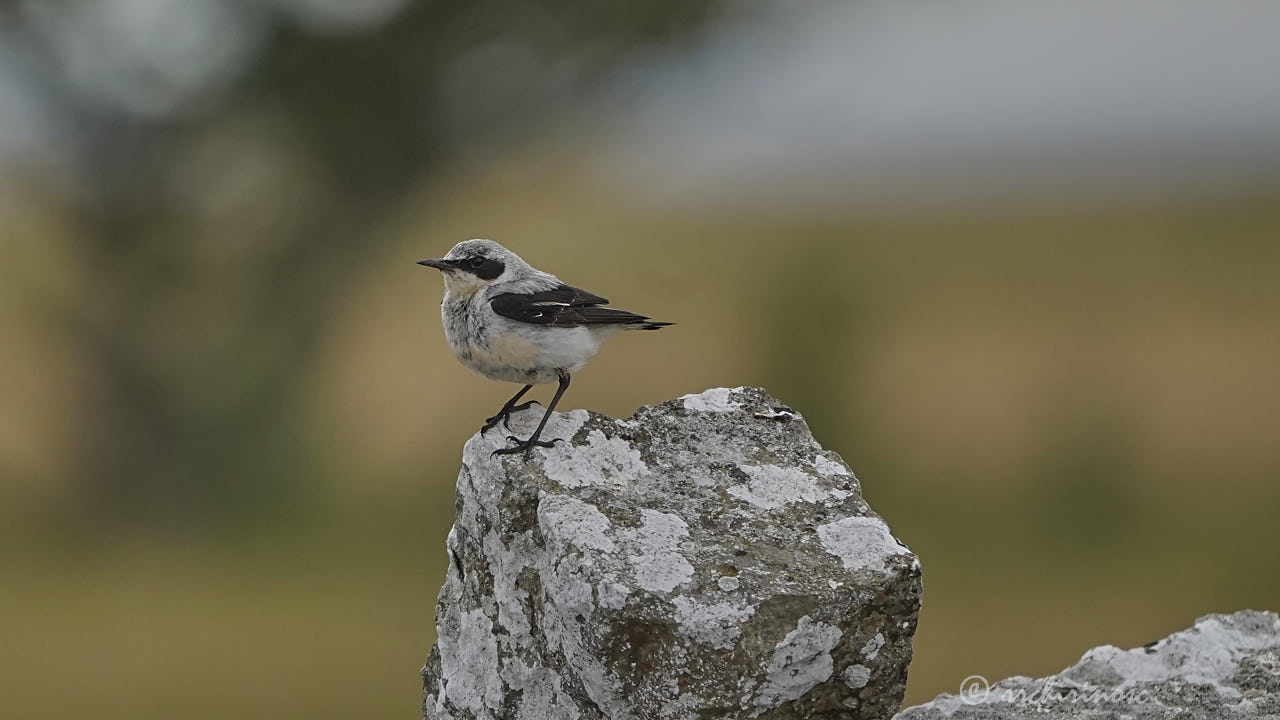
(702, 559)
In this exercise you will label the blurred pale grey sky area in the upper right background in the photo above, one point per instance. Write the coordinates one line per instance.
(885, 99)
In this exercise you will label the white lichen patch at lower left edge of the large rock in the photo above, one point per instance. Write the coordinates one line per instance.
(470, 664)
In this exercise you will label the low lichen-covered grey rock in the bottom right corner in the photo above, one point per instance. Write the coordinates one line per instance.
(1226, 667)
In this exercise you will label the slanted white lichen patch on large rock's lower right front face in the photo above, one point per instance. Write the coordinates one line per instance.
(799, 663)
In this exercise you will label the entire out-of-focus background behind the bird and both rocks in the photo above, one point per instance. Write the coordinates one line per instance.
(1018, 263)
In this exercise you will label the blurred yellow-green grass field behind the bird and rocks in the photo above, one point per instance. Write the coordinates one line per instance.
(1071, 414)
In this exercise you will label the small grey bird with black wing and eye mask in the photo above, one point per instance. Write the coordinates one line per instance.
(510, 322)
